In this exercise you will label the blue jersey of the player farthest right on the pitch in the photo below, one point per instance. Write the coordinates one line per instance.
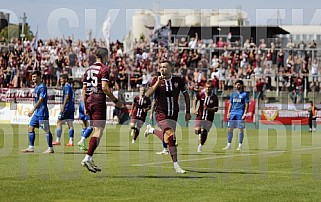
(238, 101)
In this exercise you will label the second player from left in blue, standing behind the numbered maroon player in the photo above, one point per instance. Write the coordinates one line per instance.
(66, 112)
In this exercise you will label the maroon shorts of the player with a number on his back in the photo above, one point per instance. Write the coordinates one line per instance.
(97, 114)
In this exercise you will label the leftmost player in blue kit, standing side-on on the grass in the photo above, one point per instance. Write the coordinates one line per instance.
(40, 114)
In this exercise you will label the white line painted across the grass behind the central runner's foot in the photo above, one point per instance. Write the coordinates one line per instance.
(229, 156)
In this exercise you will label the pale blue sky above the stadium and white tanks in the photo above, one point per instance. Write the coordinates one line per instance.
(76, 17)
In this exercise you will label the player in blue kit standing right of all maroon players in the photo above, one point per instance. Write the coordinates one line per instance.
(236, 113)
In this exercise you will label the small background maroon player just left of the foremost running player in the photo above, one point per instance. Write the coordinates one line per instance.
(140, 106)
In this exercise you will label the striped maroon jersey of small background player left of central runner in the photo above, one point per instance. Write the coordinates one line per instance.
(140, 103)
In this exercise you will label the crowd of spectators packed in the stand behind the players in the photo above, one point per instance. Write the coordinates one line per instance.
(195, 59)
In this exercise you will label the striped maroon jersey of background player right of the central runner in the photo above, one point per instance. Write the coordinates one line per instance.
(209, 101)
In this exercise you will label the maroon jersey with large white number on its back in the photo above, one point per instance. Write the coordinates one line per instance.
(93, 78)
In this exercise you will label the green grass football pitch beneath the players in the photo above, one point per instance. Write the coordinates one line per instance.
(274, 165)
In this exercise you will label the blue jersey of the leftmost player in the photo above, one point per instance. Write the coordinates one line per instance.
(41, 92)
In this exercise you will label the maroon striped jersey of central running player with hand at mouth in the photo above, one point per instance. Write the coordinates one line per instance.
(167, 93)
